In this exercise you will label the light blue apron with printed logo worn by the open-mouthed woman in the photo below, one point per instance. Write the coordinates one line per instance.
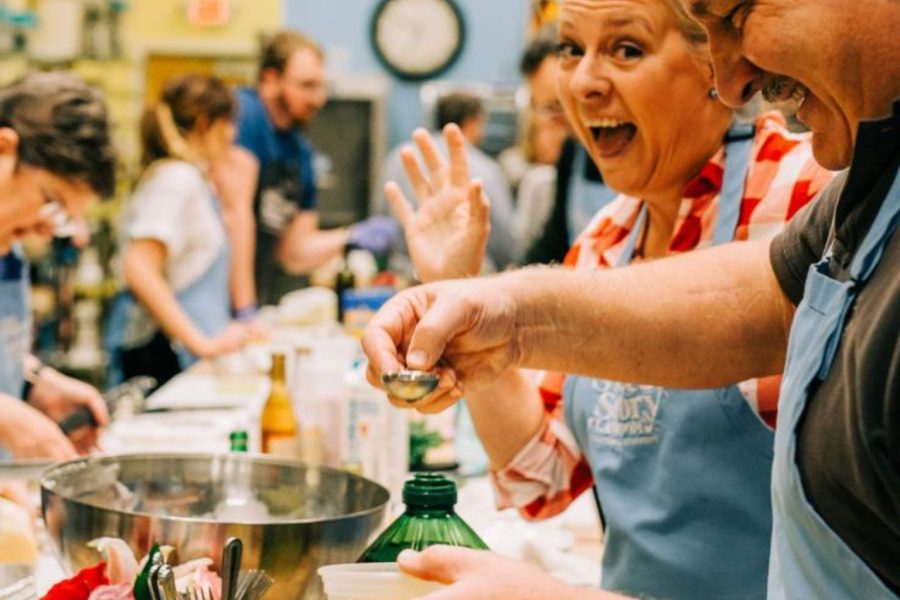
(683, 476)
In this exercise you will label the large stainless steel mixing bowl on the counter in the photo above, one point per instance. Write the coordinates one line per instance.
(291, 518)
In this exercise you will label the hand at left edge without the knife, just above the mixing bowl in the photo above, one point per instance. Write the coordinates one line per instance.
(27, 433)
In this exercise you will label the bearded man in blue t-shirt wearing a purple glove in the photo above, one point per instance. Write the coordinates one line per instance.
(289, 92)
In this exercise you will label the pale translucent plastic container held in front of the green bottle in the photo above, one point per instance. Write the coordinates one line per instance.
(373, 581)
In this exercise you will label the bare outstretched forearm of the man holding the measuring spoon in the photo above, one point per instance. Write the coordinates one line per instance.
(700, 320)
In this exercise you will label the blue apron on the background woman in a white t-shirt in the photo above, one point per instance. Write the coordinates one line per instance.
(206, 301)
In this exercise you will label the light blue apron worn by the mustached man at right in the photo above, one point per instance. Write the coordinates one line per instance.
(809, 560)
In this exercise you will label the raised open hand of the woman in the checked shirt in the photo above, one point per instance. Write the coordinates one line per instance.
(447, 234)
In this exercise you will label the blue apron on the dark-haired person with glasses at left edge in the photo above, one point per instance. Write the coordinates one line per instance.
(15, 322)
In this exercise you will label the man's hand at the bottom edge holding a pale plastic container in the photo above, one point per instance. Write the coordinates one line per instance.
(482, 575)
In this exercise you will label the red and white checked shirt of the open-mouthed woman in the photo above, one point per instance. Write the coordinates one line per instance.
(550, 471)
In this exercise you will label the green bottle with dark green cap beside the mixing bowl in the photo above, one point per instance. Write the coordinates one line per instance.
(429, 519)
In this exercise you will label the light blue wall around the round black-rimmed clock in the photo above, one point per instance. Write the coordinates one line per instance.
(495, 34)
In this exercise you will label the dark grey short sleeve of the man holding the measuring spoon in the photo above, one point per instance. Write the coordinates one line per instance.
(803, 241)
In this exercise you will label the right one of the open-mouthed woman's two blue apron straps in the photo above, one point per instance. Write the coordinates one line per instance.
(738, 143)
